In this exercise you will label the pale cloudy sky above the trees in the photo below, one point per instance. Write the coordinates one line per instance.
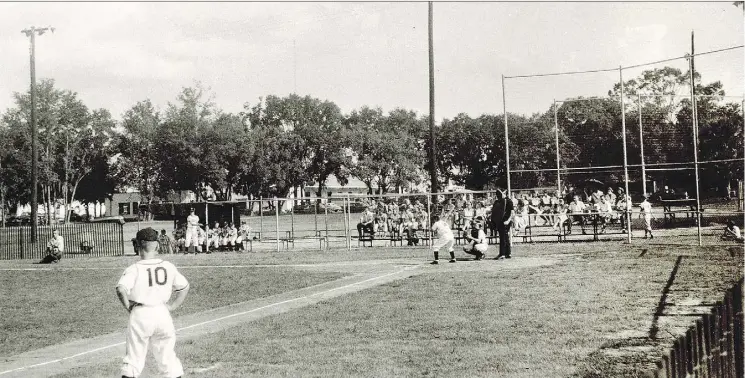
(360, 54)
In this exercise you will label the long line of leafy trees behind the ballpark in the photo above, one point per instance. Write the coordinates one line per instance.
(280, 144)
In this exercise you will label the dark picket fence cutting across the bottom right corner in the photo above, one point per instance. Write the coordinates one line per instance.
(711, 348)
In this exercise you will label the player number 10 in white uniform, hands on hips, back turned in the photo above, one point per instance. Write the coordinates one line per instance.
(144, 290)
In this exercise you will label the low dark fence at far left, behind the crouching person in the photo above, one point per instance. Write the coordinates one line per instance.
(106, 239)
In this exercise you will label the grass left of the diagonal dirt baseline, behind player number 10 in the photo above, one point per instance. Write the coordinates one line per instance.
(47, 307)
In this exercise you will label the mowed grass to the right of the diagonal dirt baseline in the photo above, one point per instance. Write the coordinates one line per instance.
(470, 319)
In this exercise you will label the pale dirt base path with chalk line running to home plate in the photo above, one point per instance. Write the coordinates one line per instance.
(364, 274)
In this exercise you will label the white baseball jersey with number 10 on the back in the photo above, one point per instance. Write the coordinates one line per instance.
(150, 282)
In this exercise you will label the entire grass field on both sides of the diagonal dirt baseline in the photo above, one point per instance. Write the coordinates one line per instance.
(555, 310)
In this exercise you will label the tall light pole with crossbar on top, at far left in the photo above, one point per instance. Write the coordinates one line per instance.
(31, 33)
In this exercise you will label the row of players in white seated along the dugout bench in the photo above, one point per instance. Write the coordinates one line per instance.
(218, 238)
